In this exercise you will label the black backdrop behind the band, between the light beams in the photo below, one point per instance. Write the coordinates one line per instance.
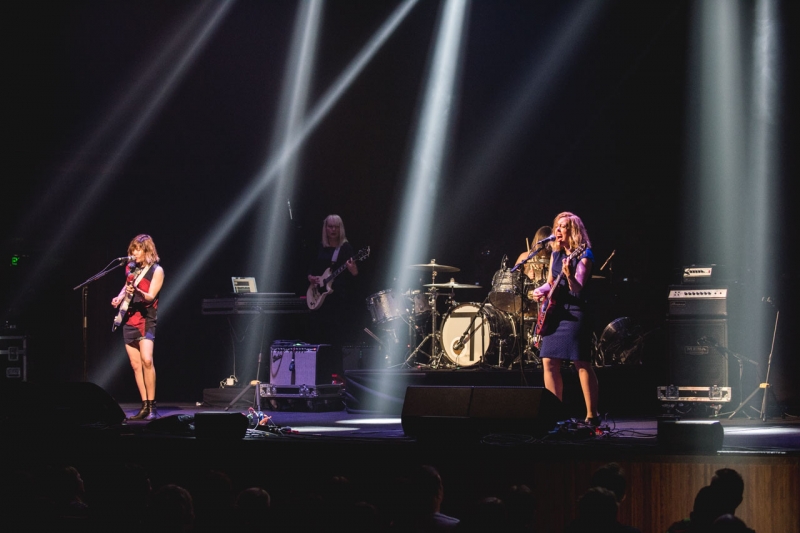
(606, 140)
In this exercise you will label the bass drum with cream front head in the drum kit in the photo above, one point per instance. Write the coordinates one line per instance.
(486, 338)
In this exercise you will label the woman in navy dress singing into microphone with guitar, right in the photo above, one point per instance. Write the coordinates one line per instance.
(566, 332)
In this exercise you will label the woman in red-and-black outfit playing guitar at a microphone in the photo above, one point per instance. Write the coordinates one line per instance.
(144, 280)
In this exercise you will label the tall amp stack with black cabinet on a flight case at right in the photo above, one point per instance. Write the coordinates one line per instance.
(697, 336)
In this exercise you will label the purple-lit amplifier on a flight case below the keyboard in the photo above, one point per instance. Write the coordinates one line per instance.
(302, 364)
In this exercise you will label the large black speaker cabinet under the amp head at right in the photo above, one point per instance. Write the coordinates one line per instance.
(694, 354)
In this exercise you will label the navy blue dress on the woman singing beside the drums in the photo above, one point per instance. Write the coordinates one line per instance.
(571, 338)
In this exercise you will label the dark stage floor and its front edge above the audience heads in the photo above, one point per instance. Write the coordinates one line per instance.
(300, 445)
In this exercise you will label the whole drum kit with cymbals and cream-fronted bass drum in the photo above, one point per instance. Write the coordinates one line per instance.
(497, 332)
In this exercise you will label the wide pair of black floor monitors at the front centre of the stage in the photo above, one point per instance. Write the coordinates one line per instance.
(454, 412)
